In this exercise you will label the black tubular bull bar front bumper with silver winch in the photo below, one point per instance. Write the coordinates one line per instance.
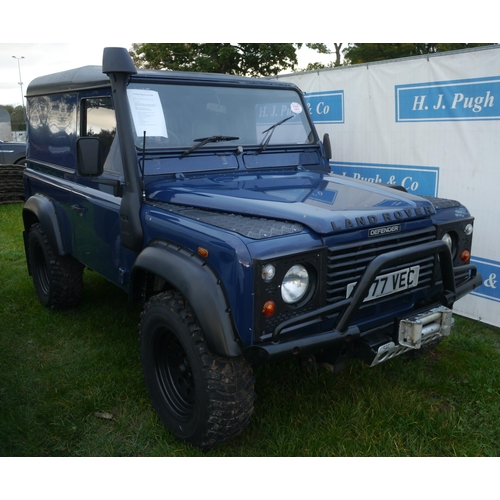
(346, 309)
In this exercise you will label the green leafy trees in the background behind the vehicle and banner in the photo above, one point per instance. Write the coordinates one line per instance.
(260, 59)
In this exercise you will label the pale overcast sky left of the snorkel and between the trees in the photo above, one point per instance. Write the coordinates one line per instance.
(40, 59)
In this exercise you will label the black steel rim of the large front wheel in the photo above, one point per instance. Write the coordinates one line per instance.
(174, 374)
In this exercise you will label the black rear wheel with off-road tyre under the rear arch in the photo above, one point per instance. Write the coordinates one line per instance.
(58, 280)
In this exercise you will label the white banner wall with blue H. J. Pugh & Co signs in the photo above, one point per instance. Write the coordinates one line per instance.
(431, 124)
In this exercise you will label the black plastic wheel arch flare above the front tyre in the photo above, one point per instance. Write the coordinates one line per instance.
(198, 283)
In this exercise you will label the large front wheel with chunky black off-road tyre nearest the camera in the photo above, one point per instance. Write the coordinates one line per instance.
(200, 397)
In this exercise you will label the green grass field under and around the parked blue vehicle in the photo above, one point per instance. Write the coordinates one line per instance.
(71, 385)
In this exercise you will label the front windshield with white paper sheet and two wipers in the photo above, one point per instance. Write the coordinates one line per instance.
(183, 116)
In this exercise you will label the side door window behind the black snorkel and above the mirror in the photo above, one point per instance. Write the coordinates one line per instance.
(98, 120)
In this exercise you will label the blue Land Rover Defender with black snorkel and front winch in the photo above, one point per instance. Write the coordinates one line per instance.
(209, 199)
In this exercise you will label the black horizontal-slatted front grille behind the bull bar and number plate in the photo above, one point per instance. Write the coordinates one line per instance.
(347, 263)
